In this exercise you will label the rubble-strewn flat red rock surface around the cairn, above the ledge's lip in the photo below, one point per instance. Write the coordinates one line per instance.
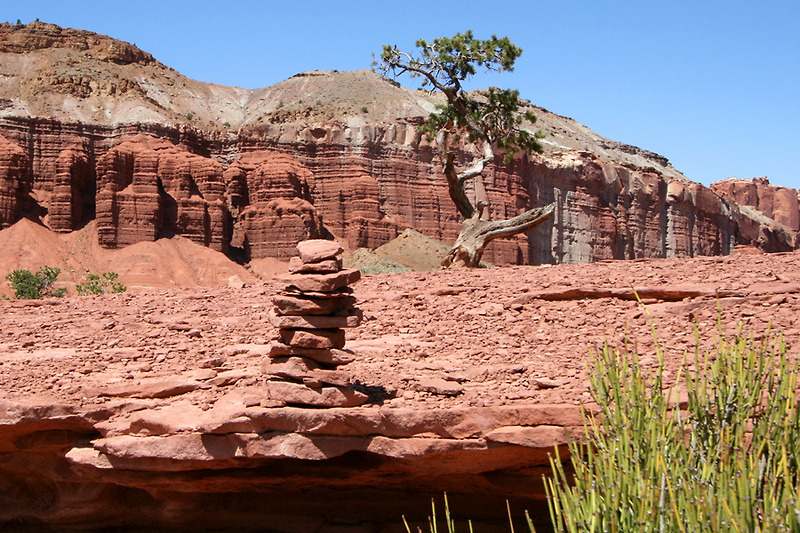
(436, 339)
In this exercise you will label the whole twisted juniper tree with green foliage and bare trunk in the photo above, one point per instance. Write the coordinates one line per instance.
(491, 121)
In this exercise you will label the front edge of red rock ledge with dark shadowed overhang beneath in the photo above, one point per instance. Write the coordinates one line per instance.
(78, 464)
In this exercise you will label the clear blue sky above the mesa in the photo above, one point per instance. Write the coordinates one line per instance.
(711, 85)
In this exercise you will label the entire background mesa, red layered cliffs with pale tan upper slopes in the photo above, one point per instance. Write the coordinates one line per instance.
(95, 128)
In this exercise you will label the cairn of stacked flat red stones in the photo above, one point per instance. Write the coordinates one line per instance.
(310, 311)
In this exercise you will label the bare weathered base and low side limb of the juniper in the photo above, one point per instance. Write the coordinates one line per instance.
(476, 234)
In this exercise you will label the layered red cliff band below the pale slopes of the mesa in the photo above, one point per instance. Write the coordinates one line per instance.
(260, 191)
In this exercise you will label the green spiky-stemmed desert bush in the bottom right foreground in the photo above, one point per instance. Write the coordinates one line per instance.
(727, 462)
